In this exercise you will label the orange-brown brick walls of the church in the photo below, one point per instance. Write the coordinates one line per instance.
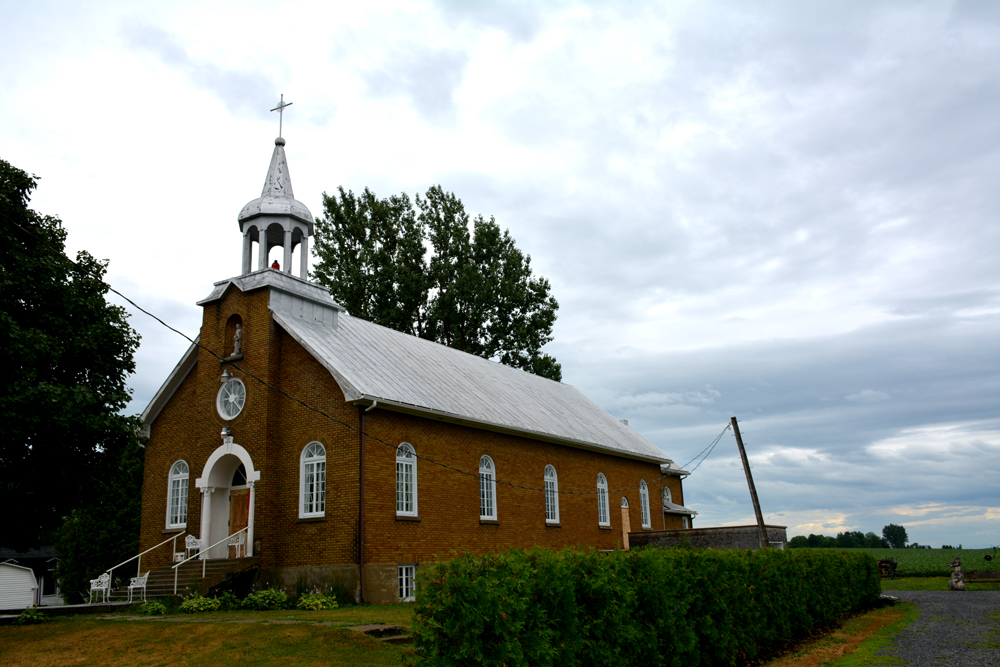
(275, 429)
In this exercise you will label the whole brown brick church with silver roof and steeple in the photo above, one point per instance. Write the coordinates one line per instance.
(342, 451)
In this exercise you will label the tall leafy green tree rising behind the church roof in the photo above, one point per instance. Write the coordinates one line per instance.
(475, 292)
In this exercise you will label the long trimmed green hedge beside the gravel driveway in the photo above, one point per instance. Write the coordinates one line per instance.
(645, 607)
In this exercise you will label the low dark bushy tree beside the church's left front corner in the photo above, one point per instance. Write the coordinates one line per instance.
(104, 528)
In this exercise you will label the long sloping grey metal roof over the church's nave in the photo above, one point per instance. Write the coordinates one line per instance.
(403, 372)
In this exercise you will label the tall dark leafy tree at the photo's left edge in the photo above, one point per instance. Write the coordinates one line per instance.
(68, 353)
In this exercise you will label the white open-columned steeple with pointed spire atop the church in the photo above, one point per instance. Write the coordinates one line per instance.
(276, 218)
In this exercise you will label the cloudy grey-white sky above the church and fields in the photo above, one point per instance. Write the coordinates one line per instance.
(782, 211)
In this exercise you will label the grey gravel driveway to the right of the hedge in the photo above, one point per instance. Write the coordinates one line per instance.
(955, 629)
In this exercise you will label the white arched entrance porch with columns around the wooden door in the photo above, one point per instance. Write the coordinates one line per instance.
(227, 500)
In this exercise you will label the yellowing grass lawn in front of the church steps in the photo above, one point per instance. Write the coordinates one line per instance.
(258, 638)
